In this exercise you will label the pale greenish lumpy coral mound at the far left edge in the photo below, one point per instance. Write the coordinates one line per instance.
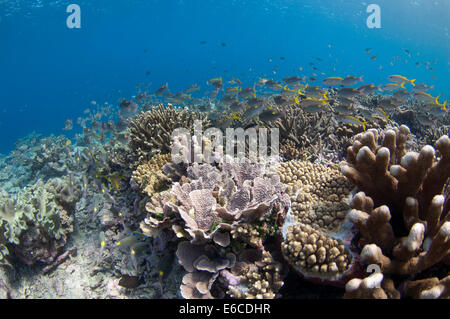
(34, 226)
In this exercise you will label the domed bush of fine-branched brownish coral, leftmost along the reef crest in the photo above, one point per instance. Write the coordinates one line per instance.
(151, 131)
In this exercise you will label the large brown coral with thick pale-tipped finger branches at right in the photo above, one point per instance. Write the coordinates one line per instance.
(400, 211)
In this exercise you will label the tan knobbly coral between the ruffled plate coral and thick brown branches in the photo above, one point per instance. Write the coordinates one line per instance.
(314, 233)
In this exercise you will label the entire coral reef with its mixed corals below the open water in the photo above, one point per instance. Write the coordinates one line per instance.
(154, 214)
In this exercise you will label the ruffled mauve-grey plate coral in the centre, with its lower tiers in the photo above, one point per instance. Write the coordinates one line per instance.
(219, 213)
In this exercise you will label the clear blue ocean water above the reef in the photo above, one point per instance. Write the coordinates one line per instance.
(50, 73)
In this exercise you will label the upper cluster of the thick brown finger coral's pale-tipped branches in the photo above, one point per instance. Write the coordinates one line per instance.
(388, 175)
